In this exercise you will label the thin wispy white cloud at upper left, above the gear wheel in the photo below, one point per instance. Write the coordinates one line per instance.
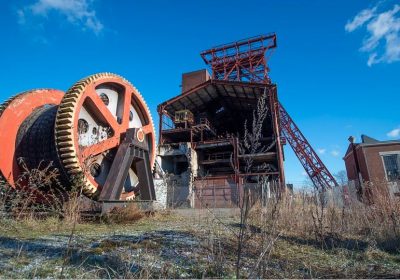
(77, 12)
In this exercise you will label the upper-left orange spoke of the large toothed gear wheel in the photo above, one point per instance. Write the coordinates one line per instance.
(97, 106)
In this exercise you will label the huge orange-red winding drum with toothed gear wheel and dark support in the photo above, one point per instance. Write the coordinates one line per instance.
(78, 133)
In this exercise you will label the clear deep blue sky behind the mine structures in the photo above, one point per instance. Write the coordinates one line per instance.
(337, 63)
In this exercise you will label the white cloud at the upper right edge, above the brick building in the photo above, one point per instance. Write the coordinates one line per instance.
(382, 42)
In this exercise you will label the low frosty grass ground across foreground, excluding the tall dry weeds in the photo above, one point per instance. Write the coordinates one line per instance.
(177, 244)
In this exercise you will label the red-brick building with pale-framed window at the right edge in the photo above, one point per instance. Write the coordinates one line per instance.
(378, 160)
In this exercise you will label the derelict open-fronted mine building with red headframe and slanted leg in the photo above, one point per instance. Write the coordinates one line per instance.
(201, 131)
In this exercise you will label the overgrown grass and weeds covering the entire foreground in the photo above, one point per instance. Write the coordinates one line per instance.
(296, 236)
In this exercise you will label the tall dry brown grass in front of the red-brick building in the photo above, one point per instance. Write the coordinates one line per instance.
(306, 216)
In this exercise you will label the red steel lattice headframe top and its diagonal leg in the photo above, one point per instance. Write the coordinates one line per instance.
(246, 61)
